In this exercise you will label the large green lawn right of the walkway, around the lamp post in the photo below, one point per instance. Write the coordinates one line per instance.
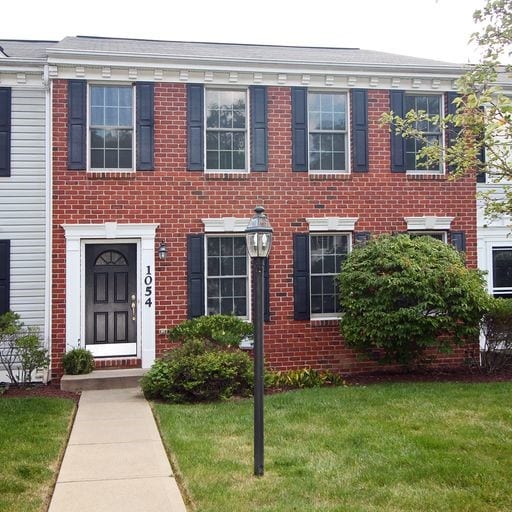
(387, 448)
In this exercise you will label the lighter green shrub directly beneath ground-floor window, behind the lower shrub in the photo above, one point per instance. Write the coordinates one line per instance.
(222, 330)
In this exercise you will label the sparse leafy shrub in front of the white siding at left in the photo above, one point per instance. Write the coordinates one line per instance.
(21, 349)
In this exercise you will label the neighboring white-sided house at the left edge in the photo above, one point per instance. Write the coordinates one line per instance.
(24, 183)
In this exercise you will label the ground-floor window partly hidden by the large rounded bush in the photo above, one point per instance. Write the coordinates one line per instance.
(327, 252)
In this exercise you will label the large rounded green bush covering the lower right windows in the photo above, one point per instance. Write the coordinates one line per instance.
(401, 295)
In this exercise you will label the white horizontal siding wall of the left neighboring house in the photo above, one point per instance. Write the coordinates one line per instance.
(22, 205)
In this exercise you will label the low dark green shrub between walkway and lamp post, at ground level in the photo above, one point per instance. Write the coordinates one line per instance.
(198, 371)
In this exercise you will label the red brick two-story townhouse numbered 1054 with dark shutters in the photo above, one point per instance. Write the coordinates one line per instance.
(176, 143)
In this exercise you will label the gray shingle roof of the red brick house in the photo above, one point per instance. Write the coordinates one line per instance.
(256, 53)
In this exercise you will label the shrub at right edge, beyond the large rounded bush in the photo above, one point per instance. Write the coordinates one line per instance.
(497, 331)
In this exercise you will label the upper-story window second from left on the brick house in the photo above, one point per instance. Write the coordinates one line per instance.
(226, 130)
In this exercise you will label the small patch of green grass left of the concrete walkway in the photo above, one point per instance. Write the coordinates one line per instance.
(33, 432)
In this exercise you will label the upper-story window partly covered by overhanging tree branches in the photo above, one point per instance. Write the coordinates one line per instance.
(432, 106)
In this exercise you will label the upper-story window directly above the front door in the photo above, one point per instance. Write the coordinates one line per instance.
(111, 123)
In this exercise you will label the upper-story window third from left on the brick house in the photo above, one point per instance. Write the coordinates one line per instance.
(327, 124)
